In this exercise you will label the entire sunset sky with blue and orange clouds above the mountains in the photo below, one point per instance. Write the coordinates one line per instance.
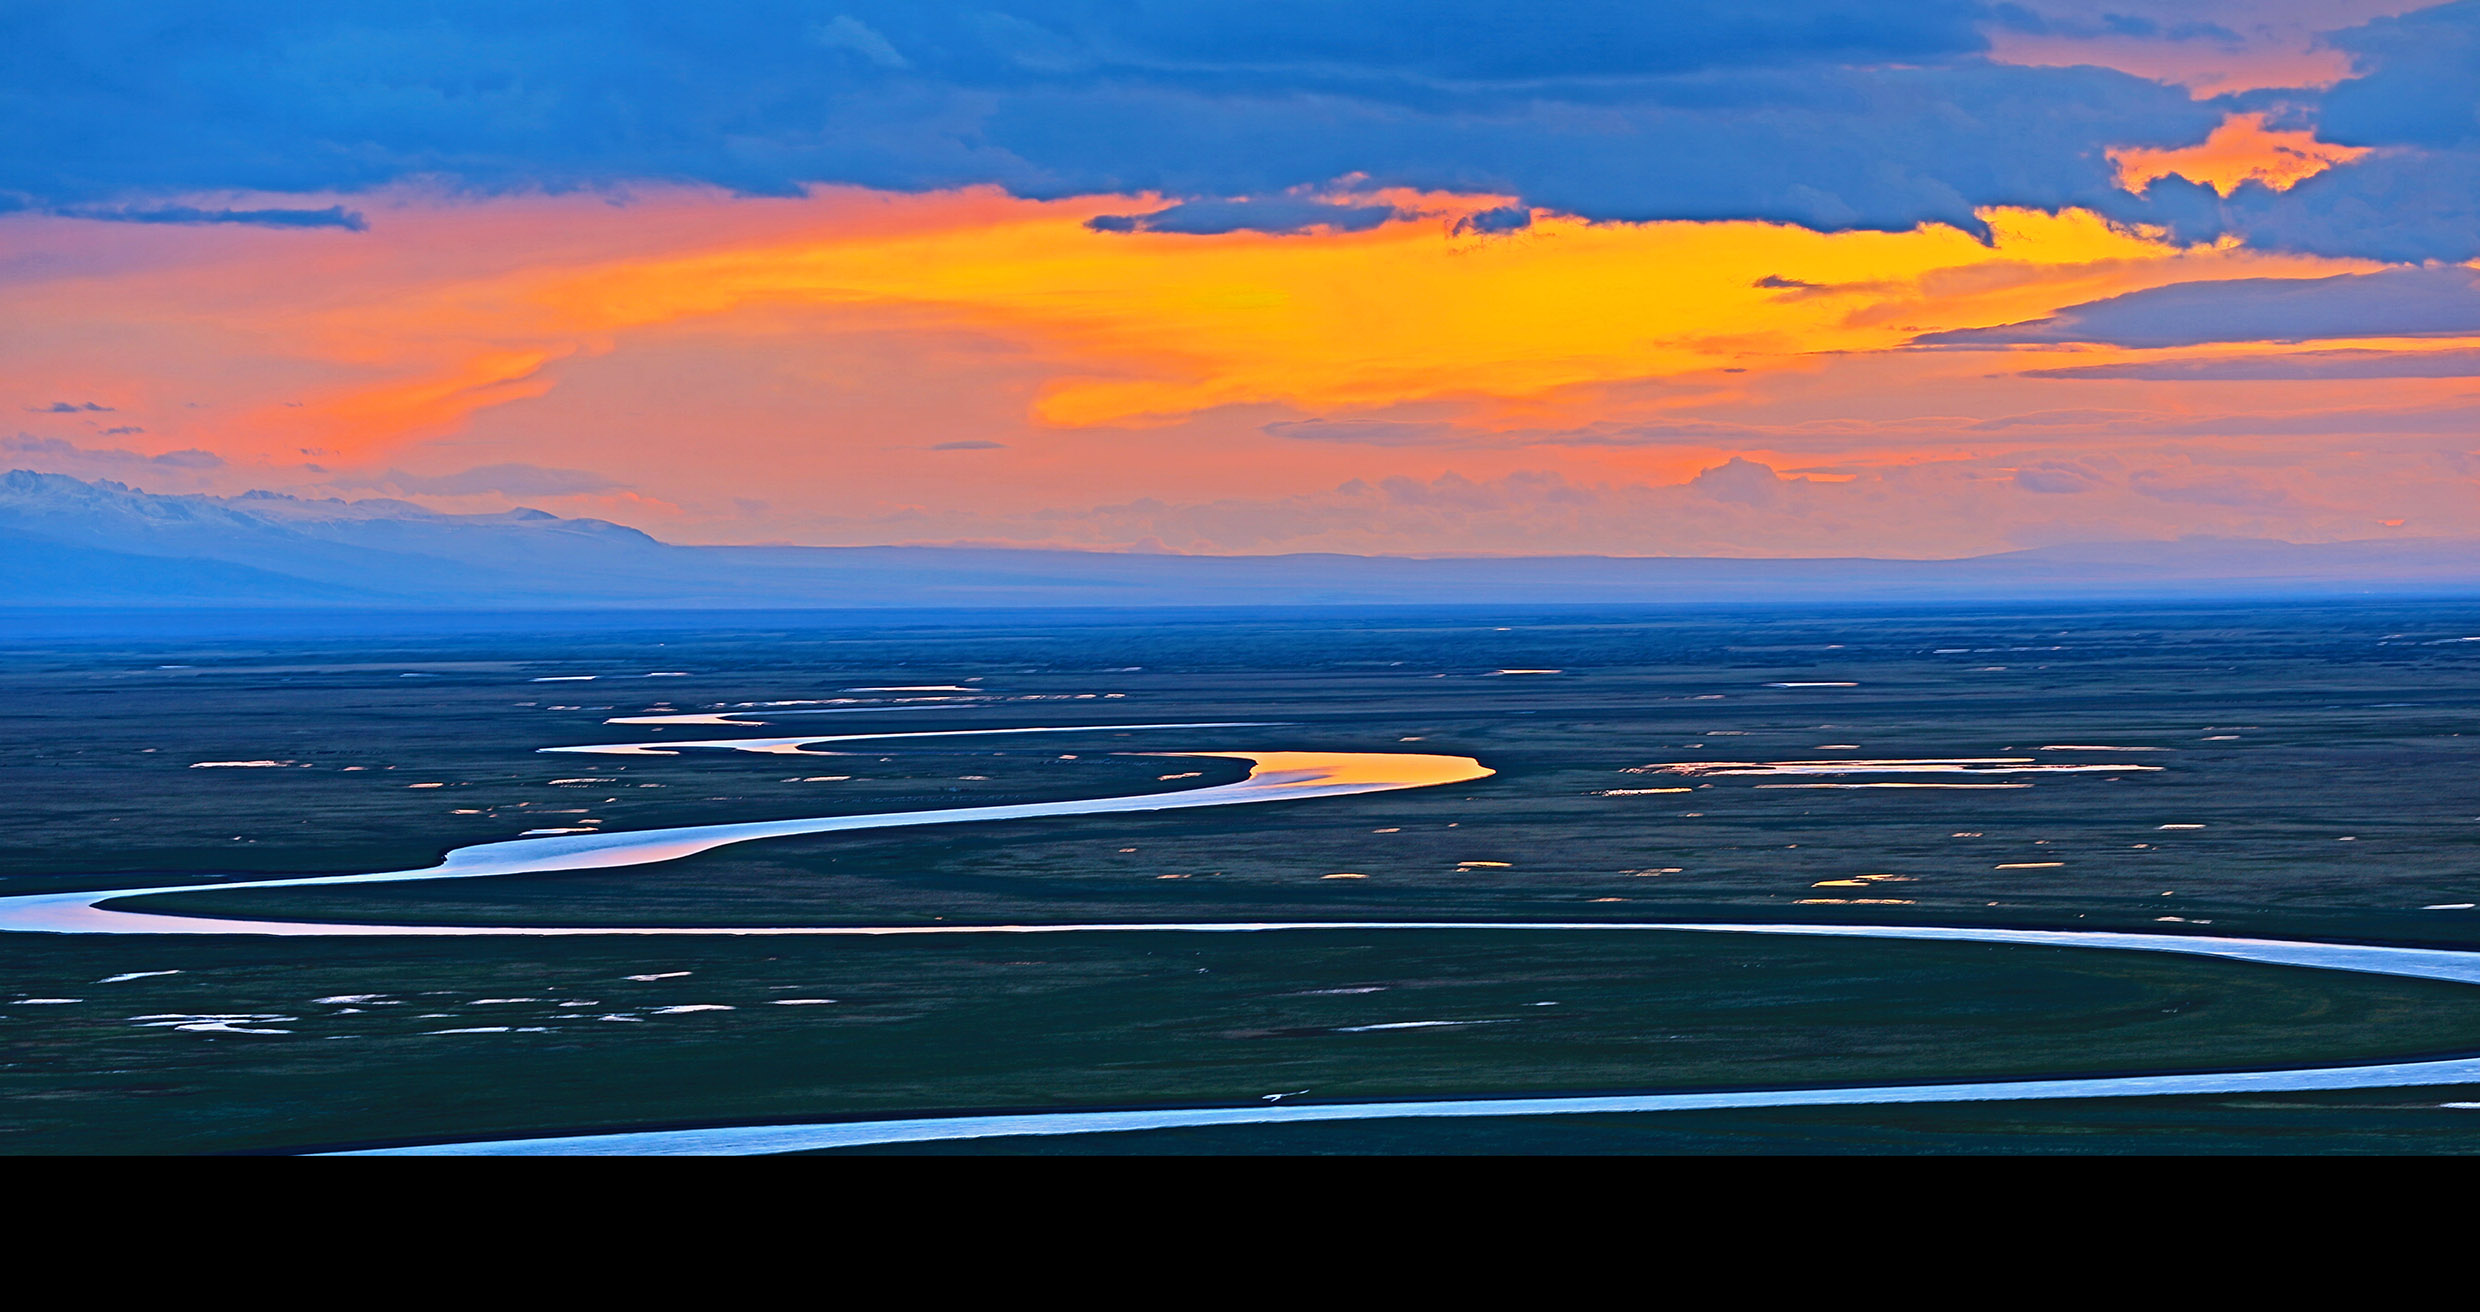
(1427, 279)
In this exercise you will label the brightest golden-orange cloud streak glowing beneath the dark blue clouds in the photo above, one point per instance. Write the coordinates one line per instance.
(1154, 326)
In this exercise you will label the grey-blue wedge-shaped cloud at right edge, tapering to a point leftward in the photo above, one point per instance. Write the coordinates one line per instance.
(2392, 304)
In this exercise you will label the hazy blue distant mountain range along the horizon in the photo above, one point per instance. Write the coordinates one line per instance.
(73, 544)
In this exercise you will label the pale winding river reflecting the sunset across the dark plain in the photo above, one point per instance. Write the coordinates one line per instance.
(1273, 778)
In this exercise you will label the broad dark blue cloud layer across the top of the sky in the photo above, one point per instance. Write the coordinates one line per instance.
(1822, 113)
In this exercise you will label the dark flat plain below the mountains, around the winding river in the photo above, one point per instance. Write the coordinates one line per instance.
(2313, 758)
